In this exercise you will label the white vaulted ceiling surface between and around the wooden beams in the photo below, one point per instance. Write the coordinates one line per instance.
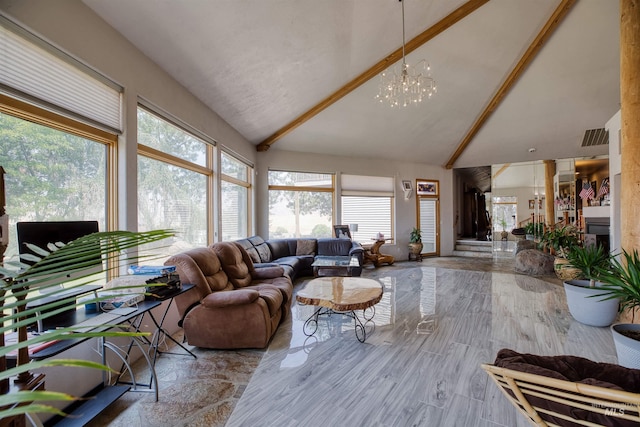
(261, 63)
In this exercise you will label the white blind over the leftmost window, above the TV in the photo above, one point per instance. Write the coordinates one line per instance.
(31, 70)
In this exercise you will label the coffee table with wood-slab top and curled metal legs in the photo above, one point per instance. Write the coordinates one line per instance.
(342, 295)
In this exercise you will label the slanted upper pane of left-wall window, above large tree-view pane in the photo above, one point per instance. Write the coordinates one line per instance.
(157, 133)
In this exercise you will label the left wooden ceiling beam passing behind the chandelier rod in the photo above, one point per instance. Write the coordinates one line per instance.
(379, 67)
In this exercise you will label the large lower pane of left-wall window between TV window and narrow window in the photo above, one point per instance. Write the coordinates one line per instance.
(175, 198)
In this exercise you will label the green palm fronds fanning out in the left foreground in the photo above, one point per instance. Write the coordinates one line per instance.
(51, 269)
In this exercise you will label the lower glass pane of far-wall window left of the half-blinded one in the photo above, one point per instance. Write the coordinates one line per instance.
(299, 214)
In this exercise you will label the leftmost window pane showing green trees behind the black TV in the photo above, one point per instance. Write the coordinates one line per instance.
(50, 175)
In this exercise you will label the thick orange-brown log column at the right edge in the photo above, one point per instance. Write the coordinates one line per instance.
(630, 112)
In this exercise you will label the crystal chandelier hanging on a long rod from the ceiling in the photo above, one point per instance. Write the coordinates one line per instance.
(404, 85)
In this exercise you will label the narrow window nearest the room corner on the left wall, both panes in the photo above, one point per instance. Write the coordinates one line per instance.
(235, 196)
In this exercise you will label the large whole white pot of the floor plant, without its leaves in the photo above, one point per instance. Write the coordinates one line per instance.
(587, 309)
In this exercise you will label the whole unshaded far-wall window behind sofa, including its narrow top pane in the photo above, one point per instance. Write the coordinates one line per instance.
(300, 204)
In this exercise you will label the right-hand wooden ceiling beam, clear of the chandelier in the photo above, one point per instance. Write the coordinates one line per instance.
(552, 23)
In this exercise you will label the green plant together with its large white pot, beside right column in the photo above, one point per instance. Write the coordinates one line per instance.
(582, 292)
